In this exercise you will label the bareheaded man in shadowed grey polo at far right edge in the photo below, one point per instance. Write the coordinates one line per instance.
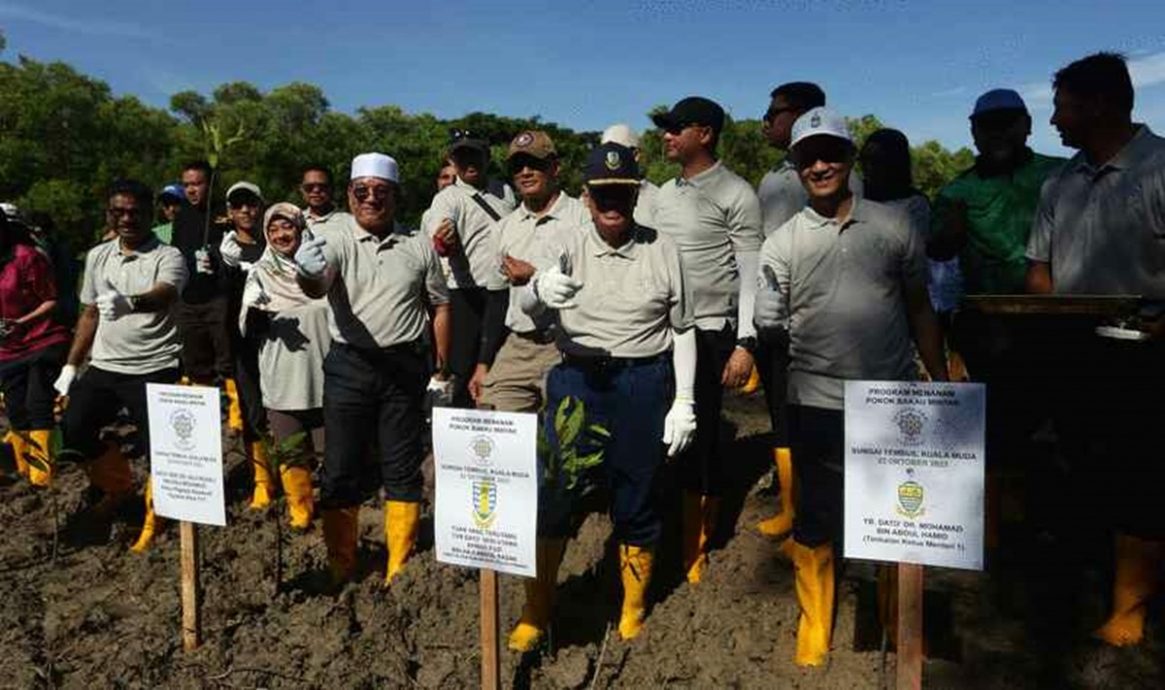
(1100, 230)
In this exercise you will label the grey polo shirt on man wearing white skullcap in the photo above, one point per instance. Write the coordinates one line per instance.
(380, 287)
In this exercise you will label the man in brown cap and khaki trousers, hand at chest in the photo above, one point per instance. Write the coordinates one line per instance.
(514, 379)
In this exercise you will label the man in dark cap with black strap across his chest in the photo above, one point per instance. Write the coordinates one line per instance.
(461, 223)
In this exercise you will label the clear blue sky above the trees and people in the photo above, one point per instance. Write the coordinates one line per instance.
(917, 66)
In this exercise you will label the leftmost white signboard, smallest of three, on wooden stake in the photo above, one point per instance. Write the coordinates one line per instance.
(186, 453)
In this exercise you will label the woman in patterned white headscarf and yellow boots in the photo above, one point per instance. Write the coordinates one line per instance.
(290, 330)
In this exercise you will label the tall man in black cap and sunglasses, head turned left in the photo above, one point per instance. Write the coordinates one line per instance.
(715, 219)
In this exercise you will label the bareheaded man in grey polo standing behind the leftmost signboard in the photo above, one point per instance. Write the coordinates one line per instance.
(129, 333)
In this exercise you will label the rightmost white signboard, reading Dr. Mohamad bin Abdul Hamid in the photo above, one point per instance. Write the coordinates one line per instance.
(915, 473)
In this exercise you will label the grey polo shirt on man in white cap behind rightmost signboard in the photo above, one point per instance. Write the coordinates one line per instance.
(845, 285)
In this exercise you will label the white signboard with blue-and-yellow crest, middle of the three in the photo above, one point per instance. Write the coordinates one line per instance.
(488, 489)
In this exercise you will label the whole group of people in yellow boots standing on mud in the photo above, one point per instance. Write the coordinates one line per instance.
(620, 318)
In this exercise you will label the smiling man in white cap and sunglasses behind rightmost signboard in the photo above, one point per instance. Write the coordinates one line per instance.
(845, 283)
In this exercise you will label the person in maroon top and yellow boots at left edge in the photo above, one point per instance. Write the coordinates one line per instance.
(32, 350)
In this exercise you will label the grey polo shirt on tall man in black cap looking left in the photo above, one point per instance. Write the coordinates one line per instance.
(714, 219)
